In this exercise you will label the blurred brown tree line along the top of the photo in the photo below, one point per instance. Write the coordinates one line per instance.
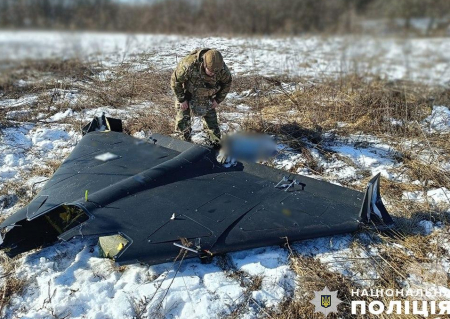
(217, 16)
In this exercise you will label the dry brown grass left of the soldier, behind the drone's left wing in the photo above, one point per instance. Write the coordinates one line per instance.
(50, 81)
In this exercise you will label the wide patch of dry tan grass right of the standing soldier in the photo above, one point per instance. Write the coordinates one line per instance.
(367, 106)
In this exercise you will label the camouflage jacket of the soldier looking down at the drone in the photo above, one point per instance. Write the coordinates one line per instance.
(190, 82)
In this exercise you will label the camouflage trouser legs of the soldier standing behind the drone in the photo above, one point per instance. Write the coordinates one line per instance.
(210, 123)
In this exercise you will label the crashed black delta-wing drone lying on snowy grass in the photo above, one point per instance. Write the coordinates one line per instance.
(147, 199)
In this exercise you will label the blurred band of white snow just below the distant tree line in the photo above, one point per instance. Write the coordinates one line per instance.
(425, 60)
